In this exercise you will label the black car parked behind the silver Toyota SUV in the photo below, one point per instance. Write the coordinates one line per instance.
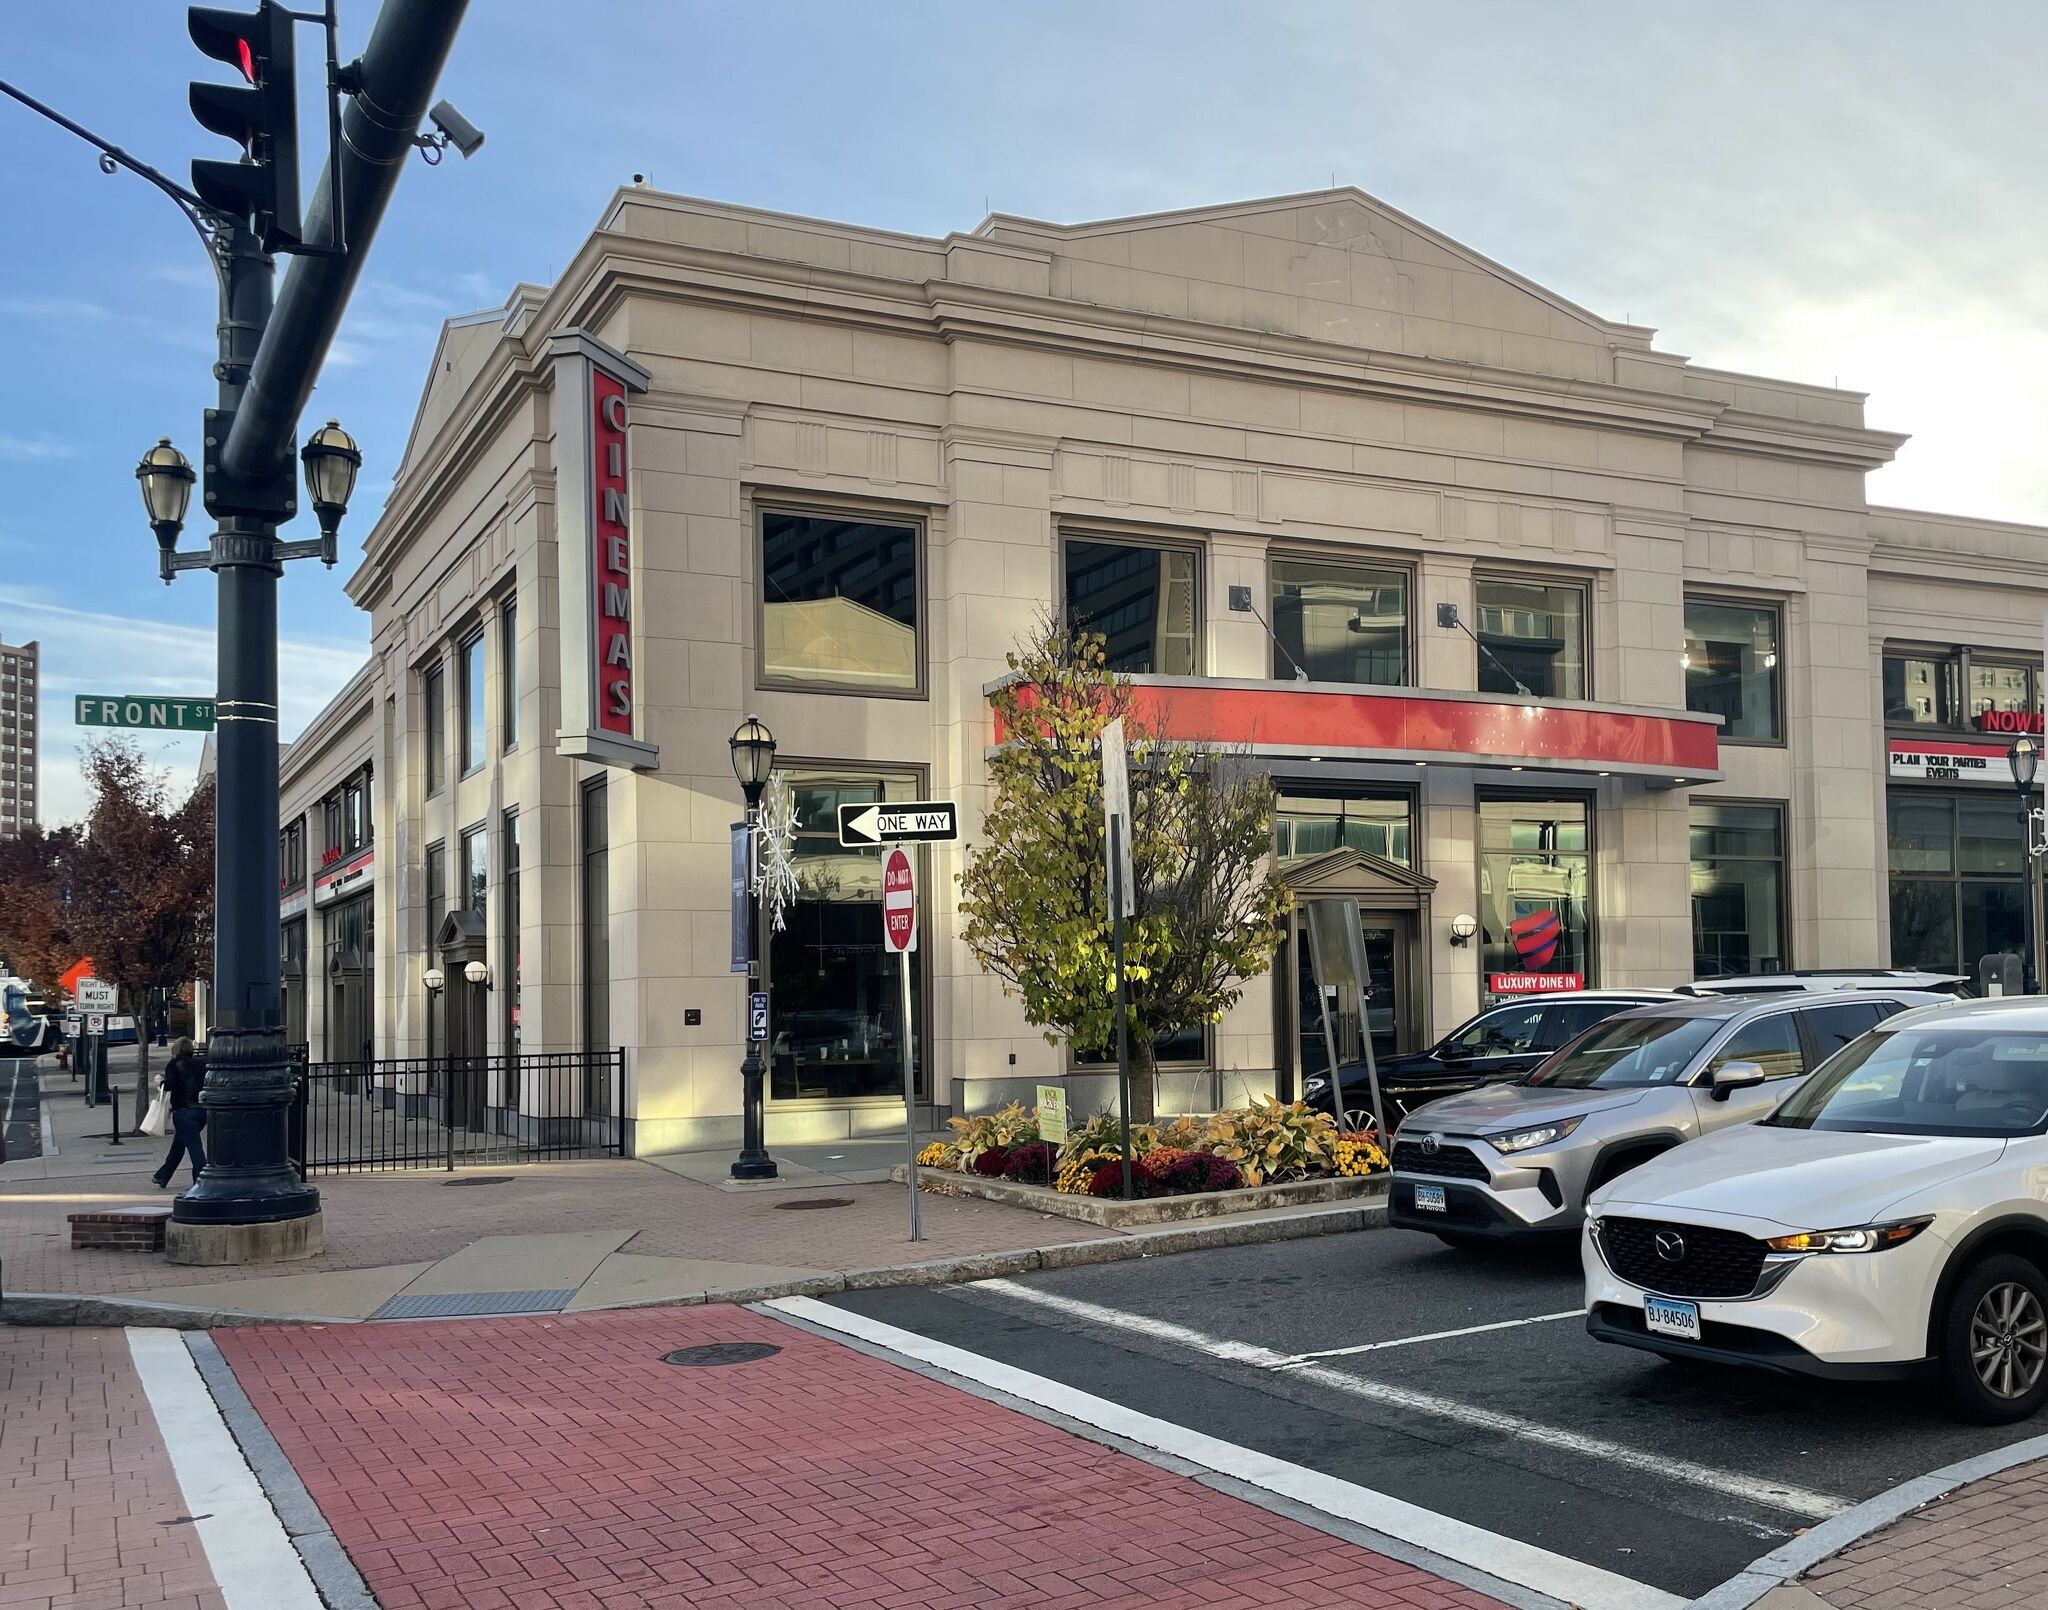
(1502, 1044)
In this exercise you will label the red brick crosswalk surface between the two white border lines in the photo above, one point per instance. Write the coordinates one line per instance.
(554, 1464)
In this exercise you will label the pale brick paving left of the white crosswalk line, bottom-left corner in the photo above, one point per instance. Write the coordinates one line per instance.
(91, 1515)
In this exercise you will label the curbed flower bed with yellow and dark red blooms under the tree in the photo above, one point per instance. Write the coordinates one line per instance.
(1267, 1144)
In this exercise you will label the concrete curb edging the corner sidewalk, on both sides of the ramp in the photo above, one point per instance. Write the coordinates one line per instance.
(73, 1310)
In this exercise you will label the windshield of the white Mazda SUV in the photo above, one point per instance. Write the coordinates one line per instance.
(1928, 1083)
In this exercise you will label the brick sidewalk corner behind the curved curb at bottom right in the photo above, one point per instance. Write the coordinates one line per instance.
(1983, 1548)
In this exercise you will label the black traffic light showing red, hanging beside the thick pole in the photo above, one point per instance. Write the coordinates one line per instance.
(263, 187)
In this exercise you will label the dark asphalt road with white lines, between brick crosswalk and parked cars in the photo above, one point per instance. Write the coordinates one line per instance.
(1664, 1474)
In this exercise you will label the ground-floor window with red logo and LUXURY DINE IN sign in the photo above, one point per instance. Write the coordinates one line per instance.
(1535, 894)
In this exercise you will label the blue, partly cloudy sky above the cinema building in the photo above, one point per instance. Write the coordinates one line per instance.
(1846, 192)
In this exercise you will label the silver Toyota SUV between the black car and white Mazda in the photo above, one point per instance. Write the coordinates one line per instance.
(1521, 1158)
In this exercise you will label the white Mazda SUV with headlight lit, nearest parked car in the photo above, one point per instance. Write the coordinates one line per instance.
(1885, 1222)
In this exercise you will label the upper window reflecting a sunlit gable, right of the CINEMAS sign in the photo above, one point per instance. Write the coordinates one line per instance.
(841, 603)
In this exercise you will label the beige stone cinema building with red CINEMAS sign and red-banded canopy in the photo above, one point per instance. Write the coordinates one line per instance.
(1533, 624)
